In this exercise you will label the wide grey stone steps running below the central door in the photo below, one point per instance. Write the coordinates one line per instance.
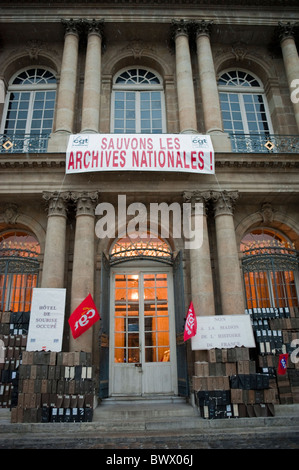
(161, 418)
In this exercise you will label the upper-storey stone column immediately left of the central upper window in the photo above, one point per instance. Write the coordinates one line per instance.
(92, 78)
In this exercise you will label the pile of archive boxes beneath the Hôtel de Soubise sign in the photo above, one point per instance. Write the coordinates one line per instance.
(55, 387)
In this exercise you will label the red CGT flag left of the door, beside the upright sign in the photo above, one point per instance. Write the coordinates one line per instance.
(83, 317)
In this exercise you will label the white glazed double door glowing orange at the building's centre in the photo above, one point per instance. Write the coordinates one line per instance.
(142, 333)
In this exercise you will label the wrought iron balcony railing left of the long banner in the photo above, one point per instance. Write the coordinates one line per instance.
(23, 143)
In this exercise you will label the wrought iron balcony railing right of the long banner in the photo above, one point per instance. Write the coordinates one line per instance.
(264, 143)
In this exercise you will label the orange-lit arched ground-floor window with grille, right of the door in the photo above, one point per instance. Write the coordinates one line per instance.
(270, 267)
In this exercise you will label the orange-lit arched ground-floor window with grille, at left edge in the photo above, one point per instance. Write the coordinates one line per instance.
(19, 267)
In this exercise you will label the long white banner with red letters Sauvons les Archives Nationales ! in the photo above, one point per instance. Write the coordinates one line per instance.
(190, 153)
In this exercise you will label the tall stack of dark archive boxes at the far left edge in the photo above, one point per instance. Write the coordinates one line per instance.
(12, 344)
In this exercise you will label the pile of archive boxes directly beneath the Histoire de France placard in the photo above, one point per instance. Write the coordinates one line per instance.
(227, 385)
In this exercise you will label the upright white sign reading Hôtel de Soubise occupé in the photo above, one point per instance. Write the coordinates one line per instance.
(46, 320)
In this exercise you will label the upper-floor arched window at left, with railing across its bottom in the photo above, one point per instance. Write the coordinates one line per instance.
(29, 110)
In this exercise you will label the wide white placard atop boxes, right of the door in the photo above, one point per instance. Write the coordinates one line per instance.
(223, 331)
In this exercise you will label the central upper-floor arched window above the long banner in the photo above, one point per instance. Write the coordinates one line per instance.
(138, 102)
